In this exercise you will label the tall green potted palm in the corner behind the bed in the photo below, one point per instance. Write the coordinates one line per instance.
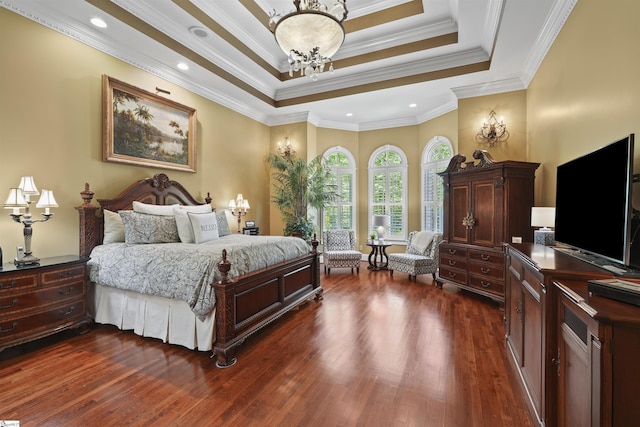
(298, 186)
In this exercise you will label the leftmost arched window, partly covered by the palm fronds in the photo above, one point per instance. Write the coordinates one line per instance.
(341, 215)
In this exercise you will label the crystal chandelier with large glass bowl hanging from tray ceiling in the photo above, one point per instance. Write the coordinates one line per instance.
(310, 35)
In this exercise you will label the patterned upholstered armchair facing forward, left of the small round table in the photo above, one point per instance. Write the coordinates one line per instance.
(339, 250)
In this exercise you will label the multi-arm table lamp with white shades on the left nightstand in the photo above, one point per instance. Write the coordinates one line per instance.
(20, 198)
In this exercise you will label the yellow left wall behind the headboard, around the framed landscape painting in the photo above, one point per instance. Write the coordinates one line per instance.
(51, 120)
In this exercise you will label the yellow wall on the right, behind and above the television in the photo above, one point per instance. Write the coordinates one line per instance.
(586, 93)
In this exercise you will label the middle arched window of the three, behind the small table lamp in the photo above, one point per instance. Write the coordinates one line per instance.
(388, 190)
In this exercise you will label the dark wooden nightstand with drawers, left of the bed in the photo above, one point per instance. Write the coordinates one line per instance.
(41, 300)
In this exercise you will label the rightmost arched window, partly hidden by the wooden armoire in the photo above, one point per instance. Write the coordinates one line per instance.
(435, 158)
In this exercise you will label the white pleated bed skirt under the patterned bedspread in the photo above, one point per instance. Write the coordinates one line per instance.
(151, 316)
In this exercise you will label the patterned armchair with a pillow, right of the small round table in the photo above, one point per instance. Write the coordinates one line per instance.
(421, 257)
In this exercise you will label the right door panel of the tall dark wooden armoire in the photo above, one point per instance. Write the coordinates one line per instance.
(484, 212)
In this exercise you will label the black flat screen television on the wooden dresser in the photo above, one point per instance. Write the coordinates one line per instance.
(594, 203)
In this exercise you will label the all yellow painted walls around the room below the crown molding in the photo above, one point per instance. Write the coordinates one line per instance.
(584, 95)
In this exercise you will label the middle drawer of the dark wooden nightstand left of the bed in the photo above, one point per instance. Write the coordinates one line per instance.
(12, 304)
